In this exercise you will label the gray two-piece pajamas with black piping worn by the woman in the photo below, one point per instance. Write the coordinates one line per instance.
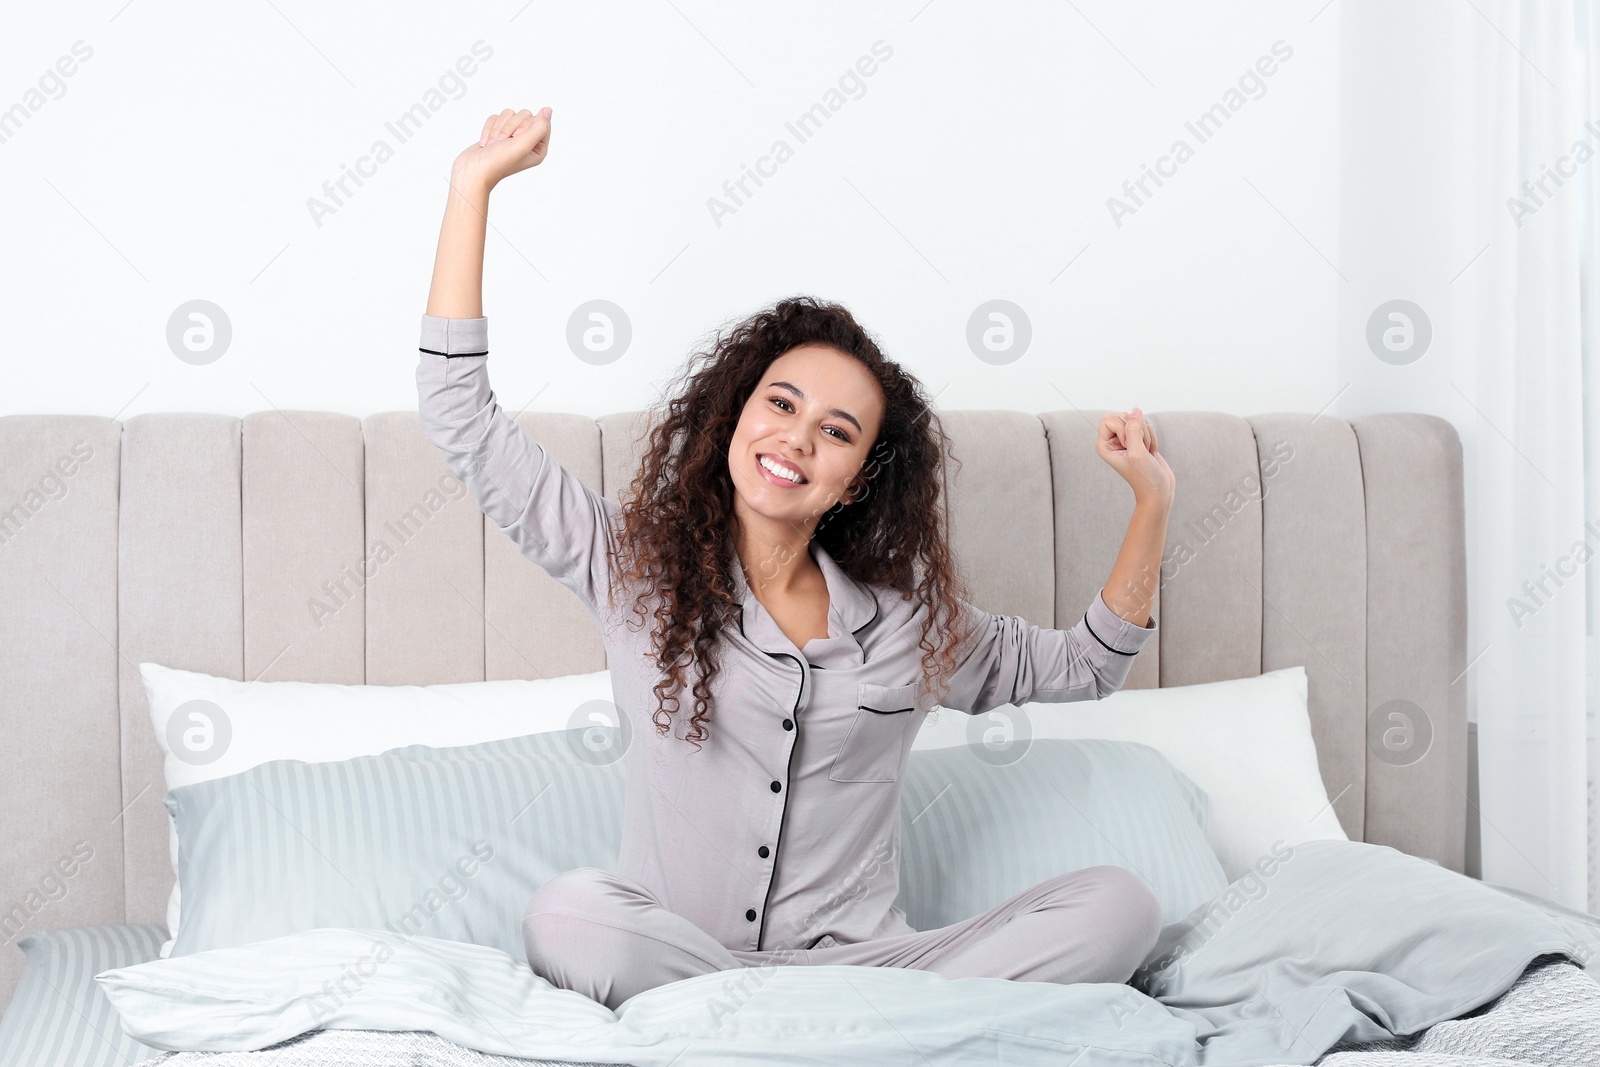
(782, 833)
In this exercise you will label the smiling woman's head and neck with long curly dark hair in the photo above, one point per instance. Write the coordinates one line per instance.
(804, 414)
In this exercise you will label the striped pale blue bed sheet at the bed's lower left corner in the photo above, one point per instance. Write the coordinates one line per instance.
(60, 1015)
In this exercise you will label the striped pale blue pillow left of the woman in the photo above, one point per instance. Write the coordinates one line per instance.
(420, 841)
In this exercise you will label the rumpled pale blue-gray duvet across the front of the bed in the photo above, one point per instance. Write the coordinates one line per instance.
(1338, 945)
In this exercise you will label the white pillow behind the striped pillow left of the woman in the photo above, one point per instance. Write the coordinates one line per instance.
(246, 724)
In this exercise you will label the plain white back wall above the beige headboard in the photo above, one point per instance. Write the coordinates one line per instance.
(975, 166)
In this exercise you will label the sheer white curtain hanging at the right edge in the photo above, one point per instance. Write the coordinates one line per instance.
(1527, 359)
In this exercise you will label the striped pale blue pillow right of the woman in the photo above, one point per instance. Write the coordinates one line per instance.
(975, 833)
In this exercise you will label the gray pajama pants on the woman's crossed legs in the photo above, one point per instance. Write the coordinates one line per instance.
(606, 937)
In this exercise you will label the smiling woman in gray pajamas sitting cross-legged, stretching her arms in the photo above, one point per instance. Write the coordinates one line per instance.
(788, 537)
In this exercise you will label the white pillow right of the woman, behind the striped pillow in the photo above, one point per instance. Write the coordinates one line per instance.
(1246, 741)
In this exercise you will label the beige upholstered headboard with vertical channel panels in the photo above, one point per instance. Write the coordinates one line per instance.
(236, 548)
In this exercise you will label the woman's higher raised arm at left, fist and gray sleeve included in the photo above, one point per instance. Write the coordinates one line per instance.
(556, 521)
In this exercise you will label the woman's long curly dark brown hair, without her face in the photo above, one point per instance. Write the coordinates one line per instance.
(673, 533)
